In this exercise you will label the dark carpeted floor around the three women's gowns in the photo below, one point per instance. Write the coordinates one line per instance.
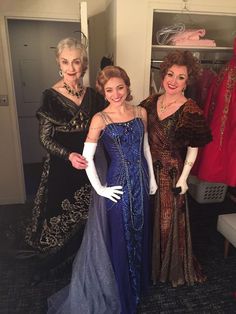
(216, 295)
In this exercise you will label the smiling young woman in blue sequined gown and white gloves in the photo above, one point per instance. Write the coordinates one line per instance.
(111, 269)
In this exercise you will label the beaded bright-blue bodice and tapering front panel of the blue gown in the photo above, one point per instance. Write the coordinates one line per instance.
(123, 143)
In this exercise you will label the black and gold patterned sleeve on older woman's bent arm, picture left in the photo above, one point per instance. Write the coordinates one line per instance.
(46, 132)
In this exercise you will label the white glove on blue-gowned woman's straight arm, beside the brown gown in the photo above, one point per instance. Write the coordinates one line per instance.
(147, 153)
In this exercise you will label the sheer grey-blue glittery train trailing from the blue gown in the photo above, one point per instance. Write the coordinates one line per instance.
(93, 285)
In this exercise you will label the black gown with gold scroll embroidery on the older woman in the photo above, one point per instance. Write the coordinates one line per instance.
(61, 203)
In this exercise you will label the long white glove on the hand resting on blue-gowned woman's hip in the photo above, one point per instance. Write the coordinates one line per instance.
(109, 192)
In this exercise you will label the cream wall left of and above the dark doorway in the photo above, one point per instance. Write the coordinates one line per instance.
(11, 173)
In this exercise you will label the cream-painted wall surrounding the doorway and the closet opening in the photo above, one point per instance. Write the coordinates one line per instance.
(129, 38)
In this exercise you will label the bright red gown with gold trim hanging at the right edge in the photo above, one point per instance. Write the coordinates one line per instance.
(216, 161)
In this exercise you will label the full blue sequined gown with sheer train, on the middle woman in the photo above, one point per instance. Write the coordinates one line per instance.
(111, 268)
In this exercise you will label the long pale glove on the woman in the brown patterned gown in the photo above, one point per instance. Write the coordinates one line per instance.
(189, 162)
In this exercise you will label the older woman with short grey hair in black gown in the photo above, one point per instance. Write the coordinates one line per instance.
(61, 203)
